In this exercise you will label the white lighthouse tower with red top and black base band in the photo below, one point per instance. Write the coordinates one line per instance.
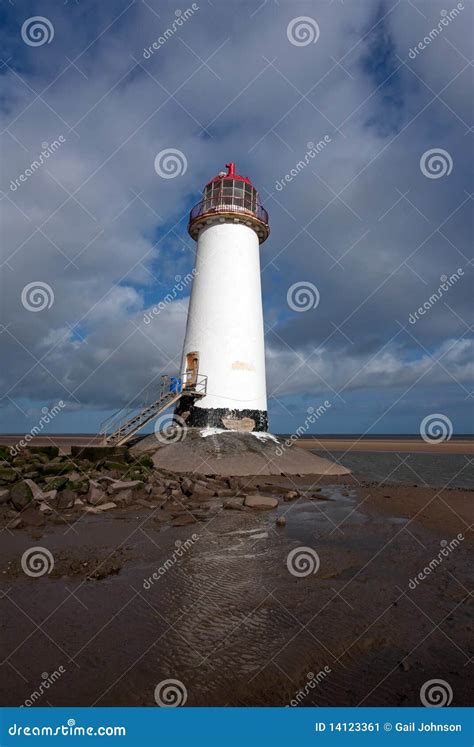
(224, 342)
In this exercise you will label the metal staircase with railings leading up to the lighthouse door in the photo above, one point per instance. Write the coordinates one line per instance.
(121, 426)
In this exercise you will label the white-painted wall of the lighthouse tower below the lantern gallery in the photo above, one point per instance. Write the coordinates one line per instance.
(225, 319)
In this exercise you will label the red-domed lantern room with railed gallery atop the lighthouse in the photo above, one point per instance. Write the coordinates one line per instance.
(229, 197)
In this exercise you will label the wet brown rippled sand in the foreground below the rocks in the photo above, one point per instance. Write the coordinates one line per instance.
(229, 620)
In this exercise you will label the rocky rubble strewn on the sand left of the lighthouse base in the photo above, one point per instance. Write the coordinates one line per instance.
(40, 485)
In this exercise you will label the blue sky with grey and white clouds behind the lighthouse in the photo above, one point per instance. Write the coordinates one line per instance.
(364, 232)
